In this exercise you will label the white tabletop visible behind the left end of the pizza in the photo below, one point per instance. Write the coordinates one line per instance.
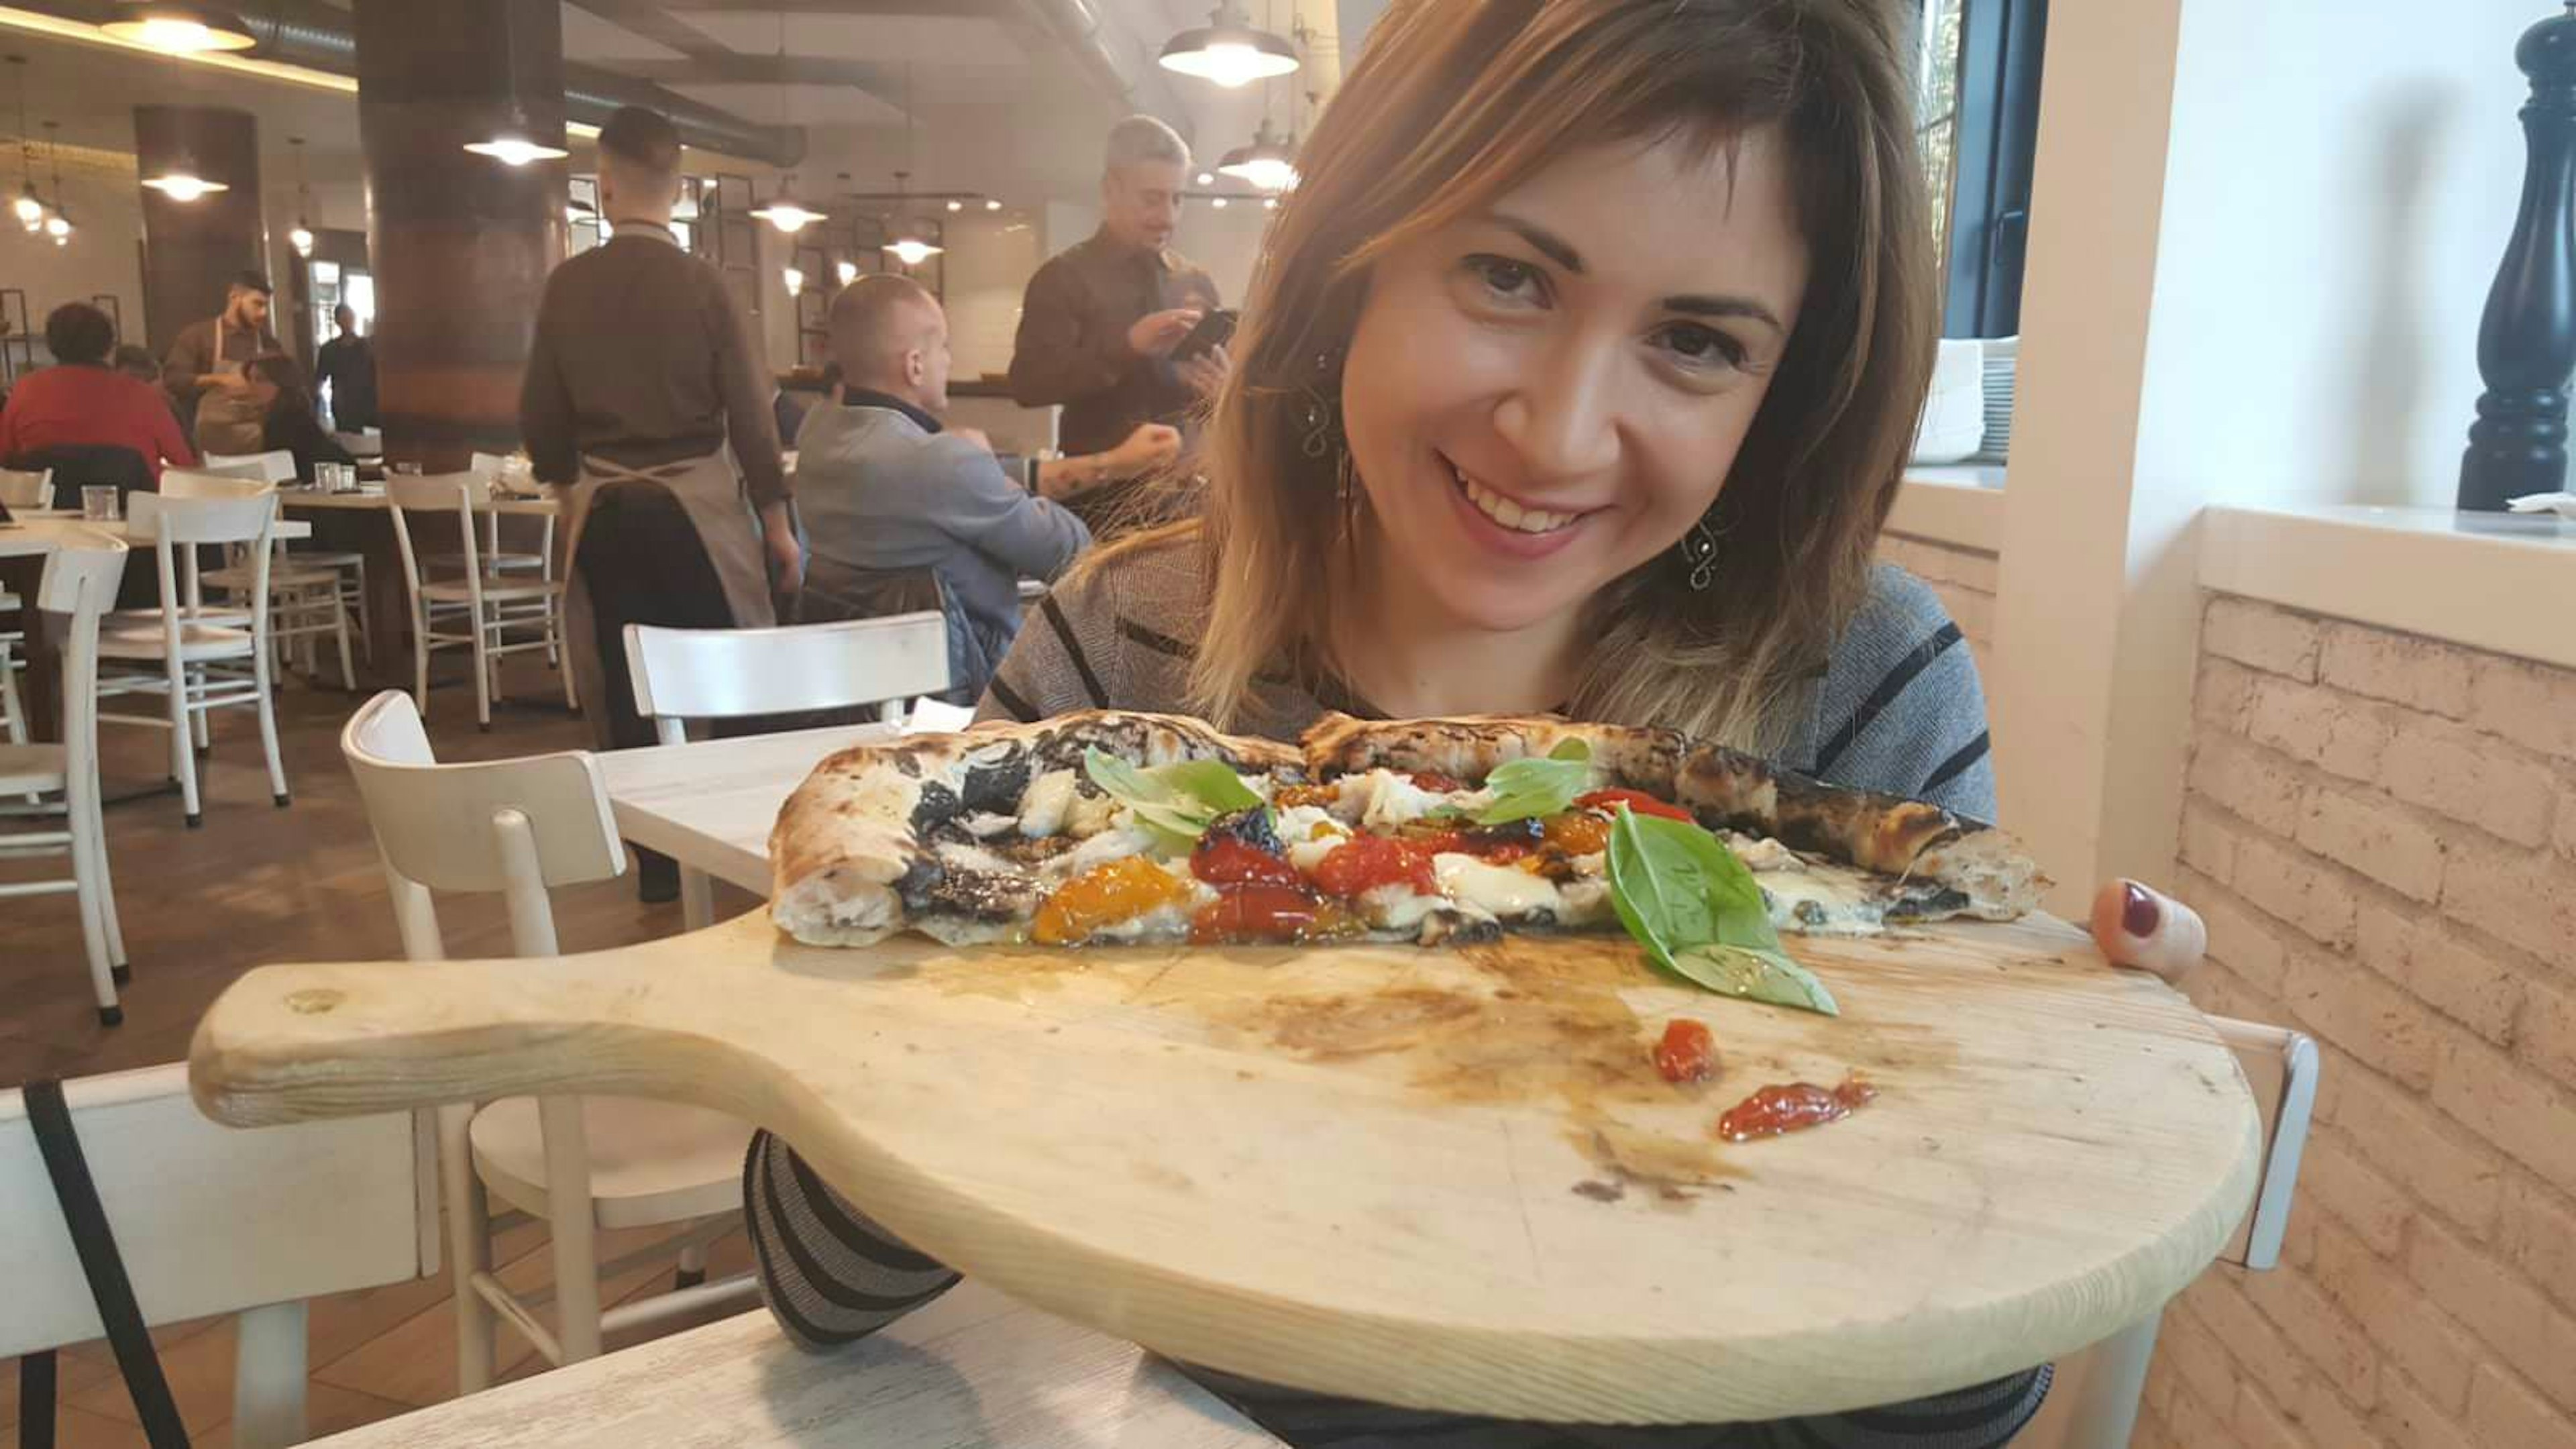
(712, 803)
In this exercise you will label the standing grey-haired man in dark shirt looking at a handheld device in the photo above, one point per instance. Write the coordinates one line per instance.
(1104, 318)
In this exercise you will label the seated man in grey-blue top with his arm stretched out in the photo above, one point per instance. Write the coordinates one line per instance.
(905, 512)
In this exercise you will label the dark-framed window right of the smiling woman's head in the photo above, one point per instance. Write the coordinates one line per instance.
(1980, 84)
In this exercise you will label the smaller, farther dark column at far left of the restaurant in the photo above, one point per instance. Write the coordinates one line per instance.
(194, 249)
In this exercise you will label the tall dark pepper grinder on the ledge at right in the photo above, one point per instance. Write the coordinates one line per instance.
(2528, 336)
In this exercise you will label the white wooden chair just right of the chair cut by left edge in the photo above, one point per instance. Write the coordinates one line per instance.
(207, 659)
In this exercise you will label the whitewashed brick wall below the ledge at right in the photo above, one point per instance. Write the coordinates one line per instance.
(2382, 834)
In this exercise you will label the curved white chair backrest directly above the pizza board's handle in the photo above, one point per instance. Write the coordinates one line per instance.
(491, 826)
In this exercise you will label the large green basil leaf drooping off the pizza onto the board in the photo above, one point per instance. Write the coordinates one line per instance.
(1701, 917)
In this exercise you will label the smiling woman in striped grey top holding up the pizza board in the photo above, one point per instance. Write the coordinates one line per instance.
(1578, 375)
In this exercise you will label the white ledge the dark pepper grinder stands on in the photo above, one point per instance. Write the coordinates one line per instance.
(2490, 581)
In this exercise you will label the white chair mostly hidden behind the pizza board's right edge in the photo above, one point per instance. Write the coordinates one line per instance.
(2096, 1396)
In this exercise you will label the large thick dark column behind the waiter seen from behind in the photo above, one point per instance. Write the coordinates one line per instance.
(460, 244)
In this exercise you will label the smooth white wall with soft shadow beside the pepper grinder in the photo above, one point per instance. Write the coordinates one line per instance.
(2340, 182)
